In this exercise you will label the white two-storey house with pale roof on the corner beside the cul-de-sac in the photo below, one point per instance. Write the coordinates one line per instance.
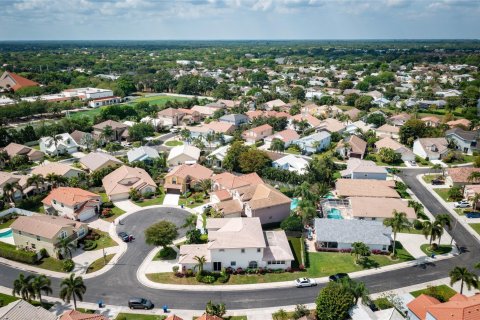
(238, 243)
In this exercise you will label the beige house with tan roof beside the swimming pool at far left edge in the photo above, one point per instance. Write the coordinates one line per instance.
(39, 232)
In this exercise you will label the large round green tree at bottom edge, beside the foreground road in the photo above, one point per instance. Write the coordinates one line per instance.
(333, 302)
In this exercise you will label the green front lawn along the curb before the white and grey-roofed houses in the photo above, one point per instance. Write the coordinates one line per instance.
(321, 264)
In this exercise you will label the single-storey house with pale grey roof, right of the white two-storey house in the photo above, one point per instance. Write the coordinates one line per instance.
(340, 234)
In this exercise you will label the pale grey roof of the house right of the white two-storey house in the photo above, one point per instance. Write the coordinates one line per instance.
(351, 230)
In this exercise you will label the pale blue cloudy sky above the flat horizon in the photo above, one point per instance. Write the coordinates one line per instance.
(238, 19)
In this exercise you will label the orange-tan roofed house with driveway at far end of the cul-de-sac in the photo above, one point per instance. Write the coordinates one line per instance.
(184, 177)
